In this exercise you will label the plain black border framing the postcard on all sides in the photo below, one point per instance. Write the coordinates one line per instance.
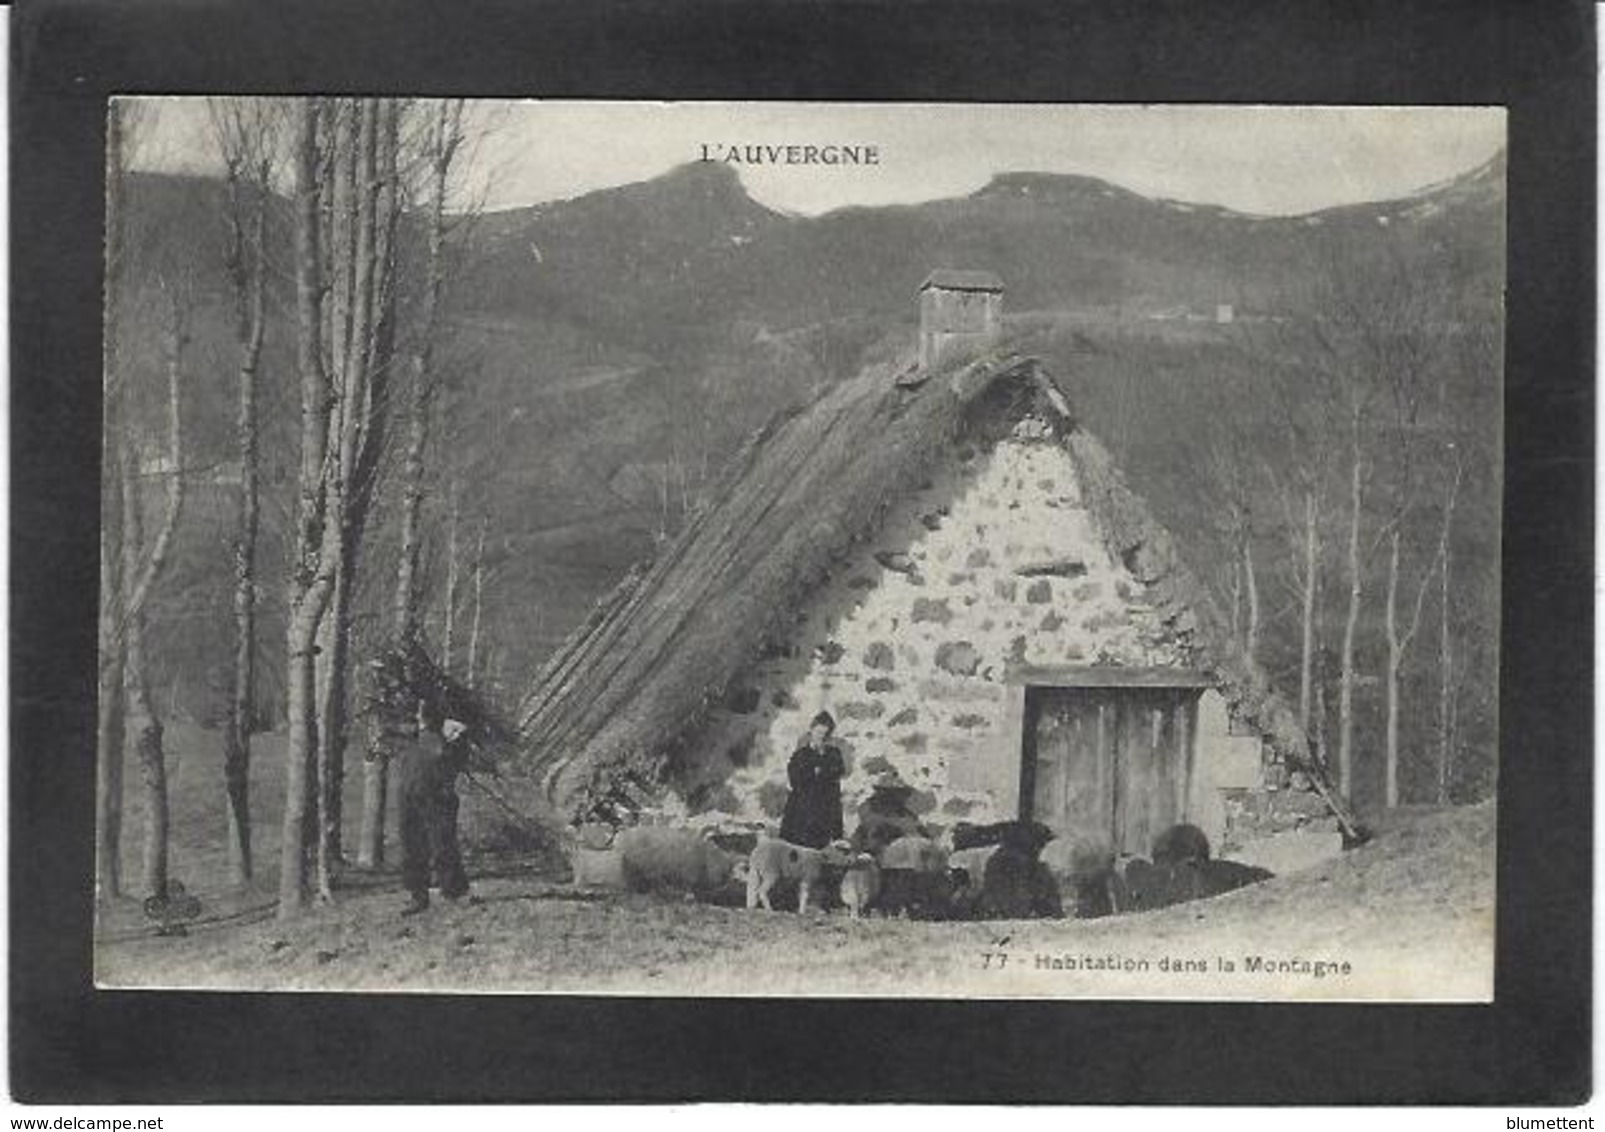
(1534, 1046)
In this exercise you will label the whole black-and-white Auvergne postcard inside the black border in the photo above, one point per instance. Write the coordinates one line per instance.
(906, 550)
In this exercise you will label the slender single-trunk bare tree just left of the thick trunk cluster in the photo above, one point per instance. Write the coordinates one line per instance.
(245, 132)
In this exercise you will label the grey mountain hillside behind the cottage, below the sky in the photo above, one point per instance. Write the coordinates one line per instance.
(609, 352)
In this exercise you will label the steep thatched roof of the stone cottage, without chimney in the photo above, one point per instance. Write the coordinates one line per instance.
(660, 651)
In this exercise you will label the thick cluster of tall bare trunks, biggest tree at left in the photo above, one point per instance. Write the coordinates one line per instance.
(347, 210)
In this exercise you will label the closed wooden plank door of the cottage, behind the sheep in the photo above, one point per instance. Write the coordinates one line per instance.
(1108, 765)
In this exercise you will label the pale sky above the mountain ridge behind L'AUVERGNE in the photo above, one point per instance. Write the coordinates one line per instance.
(1261, 160)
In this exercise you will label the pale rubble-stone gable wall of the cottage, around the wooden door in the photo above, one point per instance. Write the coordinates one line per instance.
(993, 566)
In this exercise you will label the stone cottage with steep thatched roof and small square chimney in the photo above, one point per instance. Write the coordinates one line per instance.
(946, 561)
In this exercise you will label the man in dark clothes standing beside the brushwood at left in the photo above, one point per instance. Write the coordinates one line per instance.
(429, 812)
